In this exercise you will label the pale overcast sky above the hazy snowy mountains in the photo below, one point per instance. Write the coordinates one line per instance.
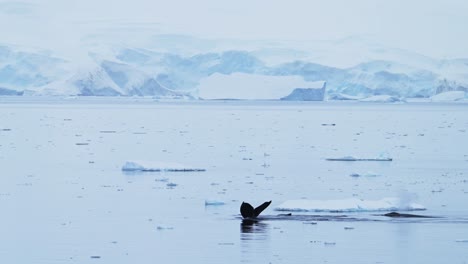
(436, 28)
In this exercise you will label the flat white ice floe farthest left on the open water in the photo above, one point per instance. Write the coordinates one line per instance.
(157, 166)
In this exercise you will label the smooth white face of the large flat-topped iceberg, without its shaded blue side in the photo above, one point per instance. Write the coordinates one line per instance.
(245, 86)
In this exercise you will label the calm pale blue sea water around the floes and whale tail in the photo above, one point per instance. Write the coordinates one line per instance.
(64, 198)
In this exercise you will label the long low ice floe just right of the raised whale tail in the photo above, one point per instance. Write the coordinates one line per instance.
(349, 205)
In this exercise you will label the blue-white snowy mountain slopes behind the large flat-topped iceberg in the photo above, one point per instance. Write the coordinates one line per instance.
(130, 71)
